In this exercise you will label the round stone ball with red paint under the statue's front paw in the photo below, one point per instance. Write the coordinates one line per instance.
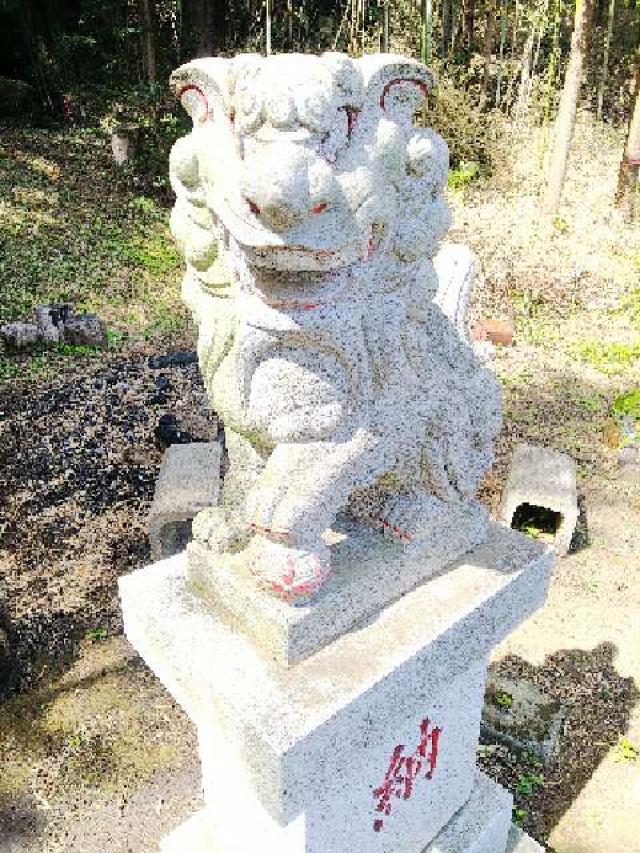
(293, 574)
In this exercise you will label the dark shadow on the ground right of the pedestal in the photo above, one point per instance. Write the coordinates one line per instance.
(598, 702)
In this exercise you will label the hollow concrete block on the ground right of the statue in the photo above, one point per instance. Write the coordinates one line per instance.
(544, 478)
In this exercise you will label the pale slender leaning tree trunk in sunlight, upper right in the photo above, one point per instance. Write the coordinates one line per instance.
(566, 119)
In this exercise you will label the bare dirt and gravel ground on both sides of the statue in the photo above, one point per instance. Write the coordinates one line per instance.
(94, 754)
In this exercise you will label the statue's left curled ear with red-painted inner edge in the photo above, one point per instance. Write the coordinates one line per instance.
(202, 86)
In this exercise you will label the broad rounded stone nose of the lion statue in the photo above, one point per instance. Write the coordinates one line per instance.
(275, 185)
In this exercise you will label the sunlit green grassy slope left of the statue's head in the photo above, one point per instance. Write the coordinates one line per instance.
(71, 229)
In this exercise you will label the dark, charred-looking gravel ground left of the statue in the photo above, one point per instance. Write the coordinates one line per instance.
(79, 460)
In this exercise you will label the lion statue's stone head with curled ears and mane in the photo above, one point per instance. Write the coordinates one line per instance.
(309, 162)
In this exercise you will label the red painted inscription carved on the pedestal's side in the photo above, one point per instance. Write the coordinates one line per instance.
(405, 769)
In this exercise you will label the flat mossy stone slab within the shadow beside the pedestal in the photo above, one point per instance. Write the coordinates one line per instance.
(519, 714)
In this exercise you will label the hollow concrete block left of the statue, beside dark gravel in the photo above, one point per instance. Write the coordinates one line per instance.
(189, 481)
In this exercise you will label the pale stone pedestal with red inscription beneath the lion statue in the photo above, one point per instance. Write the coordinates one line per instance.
(366, 746)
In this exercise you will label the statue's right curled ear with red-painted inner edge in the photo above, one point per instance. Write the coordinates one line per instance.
(395, 85)
